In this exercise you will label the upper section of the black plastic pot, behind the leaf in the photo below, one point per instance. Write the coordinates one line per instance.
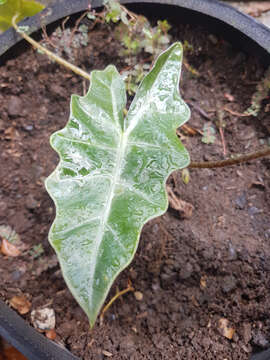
(242, 30)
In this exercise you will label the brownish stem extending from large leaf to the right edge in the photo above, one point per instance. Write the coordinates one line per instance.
(229, 162)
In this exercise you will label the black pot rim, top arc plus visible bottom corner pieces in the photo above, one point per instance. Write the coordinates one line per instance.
(12, 327)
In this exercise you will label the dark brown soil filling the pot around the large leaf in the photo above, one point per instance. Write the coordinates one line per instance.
(191, 272)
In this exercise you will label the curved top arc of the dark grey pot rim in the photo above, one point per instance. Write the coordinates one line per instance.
(224, 13)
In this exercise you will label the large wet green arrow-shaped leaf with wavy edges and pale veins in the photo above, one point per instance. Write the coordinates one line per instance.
(112, 172)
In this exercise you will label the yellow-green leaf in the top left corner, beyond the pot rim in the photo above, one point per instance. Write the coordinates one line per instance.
(8, 8)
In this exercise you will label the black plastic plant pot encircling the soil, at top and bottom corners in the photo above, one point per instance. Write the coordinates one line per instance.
(241, 30)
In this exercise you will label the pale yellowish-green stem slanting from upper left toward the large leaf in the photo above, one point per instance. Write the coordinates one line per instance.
(50, 54)
